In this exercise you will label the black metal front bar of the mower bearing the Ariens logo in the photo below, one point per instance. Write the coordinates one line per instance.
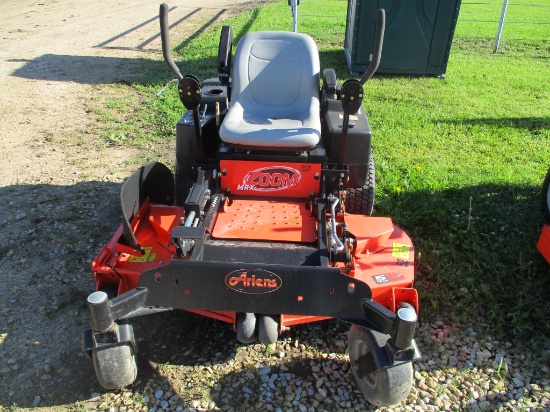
(255, 288)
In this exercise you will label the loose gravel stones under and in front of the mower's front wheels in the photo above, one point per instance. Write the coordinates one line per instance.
(308, 370)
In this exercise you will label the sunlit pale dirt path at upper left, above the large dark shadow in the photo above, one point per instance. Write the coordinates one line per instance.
(53, 53)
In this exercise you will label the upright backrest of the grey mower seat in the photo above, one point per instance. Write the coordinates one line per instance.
(275, 73)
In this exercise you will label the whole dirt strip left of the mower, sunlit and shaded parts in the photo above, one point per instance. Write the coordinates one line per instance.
(53, 177)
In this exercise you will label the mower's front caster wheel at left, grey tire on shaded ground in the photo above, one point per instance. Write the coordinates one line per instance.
(115, 366)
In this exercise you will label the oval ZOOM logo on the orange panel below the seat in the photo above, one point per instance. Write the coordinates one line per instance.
(270, 179)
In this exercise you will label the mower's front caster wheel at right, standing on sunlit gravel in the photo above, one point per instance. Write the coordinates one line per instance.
(383, 387)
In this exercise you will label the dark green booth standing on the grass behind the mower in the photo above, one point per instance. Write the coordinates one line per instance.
(417, 40)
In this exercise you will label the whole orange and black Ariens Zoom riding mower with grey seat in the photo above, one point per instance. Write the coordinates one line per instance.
(266, 222)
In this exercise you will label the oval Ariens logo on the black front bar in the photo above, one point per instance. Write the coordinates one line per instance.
(253, 281)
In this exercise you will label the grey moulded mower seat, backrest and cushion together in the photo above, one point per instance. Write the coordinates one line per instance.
(274, 93)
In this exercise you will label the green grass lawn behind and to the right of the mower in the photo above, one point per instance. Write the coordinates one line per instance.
(459, 161)
